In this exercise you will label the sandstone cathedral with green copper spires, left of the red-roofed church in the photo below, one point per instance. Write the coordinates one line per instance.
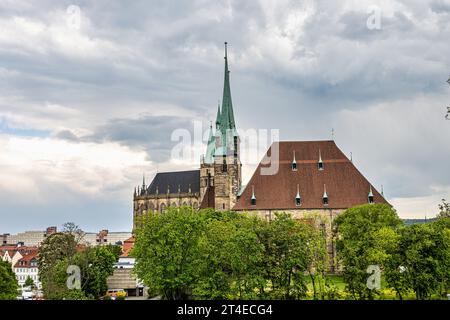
(215, 185)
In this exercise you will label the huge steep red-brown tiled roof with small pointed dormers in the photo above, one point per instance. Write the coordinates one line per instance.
(345, 185)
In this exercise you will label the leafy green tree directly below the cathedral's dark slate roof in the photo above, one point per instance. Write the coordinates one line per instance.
(168, 258)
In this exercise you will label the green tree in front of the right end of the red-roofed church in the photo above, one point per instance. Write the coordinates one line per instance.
(366, 236)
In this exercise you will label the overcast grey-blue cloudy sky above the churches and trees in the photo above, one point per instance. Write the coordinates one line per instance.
(92, 91)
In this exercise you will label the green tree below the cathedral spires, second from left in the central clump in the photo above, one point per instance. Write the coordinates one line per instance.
(233, 258)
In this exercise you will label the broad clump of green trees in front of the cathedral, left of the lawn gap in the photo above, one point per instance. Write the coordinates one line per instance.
(222, 255)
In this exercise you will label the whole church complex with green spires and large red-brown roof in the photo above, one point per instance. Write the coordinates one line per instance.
(314, 181)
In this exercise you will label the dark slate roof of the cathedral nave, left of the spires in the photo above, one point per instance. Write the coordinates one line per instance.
(173, 179)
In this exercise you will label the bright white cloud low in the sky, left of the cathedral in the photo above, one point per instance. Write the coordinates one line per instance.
(35, 167)
